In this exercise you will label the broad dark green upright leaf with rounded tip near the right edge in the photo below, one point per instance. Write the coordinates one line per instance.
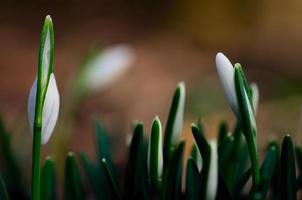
(288, 170)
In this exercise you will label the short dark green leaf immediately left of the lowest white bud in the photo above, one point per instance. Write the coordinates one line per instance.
(192, 181)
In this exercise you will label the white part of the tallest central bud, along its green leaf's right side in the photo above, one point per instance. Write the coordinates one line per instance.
(178, 125)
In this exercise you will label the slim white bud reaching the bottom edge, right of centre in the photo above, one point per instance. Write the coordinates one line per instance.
(213, 172)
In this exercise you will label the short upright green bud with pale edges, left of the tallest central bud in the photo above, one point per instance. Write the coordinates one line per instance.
(155, 153)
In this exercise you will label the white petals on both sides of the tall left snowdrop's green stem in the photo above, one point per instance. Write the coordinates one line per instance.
(50, 108)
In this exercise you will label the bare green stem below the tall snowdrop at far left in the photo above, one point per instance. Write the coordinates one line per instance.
(36, 163)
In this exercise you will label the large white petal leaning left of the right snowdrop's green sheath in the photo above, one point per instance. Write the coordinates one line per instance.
(226, 73)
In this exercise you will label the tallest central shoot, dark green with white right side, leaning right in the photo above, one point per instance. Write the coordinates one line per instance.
(175, 121)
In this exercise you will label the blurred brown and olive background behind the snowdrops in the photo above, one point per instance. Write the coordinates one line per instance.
(173, 41)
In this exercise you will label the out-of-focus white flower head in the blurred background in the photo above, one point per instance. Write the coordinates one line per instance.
(107, 67)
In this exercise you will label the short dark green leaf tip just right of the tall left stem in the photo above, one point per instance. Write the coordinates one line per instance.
(48, 180)
